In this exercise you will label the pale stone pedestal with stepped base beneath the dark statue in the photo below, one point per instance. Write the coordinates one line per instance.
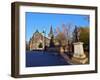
(79, 56)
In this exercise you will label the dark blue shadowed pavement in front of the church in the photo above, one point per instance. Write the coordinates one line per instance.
(40, 58)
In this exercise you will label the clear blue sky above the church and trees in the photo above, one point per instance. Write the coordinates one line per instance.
(43, 21)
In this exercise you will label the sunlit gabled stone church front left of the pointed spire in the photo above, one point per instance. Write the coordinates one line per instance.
(38, 41)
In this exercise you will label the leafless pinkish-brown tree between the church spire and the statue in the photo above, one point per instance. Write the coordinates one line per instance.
(64, 35)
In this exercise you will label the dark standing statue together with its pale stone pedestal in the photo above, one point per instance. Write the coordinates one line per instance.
(79, 55)
